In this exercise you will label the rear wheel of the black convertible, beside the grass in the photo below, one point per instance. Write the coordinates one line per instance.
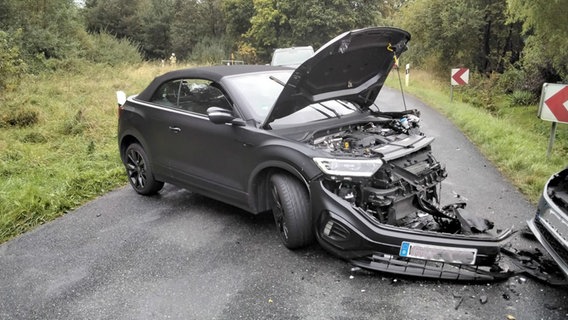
(139, 171)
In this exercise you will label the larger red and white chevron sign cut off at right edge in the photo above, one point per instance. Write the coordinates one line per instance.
(554, 103)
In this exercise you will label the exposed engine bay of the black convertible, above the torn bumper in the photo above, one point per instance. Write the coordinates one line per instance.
(405, 191)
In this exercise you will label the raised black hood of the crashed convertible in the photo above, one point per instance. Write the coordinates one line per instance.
(351, 67)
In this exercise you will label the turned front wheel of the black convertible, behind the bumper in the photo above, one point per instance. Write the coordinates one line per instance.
(291, 209)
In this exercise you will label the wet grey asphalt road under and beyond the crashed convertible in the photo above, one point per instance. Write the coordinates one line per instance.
(179, 255)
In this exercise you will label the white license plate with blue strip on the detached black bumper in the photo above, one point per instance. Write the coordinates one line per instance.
(437, 253)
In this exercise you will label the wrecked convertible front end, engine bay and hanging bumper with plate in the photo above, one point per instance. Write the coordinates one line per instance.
(393, 220)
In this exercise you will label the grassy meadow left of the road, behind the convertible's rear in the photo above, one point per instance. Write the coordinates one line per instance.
(58, 141)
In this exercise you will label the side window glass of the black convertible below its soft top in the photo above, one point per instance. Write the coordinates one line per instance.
(194, 95)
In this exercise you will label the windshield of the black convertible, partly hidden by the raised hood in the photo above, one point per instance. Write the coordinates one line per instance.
(259, 91)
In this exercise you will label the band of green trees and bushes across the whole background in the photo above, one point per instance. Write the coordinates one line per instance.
(504, 36)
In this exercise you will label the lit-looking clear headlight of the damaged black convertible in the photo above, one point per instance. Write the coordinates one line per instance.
(348, 167)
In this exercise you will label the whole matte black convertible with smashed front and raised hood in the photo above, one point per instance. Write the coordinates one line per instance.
(310, 145)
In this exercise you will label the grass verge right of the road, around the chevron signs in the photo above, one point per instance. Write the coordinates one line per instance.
(510, 136)
